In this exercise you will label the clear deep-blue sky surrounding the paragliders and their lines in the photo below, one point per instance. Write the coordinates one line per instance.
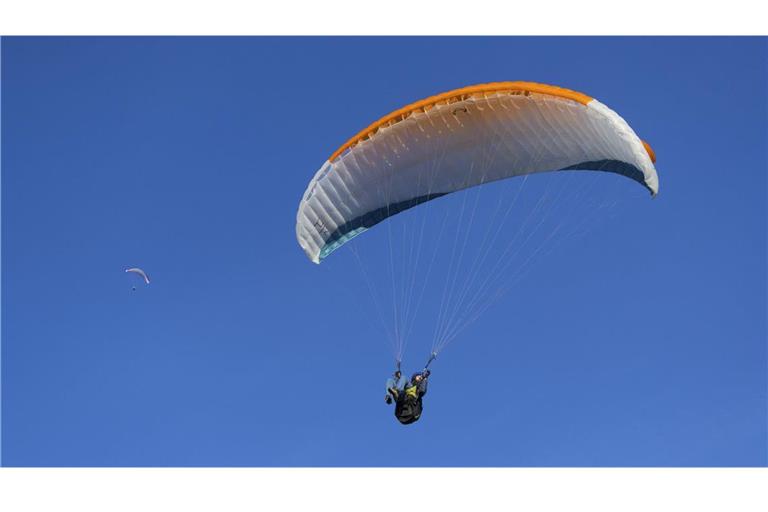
(644, 344)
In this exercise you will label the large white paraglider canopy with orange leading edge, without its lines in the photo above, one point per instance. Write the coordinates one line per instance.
(506, 129)
